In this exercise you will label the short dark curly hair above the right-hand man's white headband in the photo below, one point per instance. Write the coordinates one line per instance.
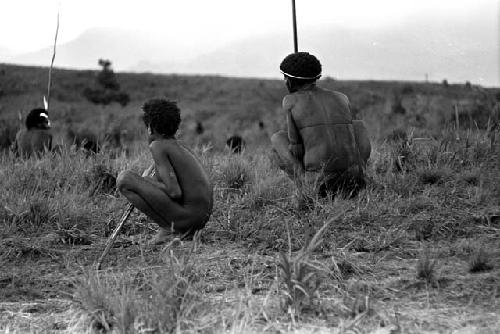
(301, 64)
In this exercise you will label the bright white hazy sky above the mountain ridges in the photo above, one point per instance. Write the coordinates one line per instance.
(27, 25)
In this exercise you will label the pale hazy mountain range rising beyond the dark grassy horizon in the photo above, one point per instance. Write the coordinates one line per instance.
(455, 51)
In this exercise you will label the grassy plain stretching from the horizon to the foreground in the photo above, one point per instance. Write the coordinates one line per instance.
(417, 251)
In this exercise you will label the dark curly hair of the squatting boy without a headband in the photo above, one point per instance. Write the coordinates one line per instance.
(162, 115)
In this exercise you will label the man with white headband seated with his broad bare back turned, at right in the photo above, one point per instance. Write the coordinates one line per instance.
(322, 143)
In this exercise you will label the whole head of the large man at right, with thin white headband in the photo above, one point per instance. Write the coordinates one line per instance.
(300, 69)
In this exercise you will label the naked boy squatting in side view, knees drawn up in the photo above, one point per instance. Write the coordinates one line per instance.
(179, 197)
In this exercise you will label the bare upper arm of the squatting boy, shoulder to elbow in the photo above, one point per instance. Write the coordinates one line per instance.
(164, 170)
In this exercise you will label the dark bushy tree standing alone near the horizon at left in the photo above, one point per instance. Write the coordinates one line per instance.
(107, 89)
